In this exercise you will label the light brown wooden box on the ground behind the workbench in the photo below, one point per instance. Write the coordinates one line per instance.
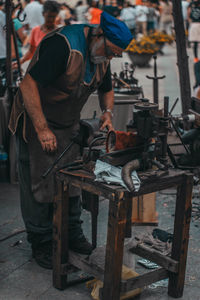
(144, 210)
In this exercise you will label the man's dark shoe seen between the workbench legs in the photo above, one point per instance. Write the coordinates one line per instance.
(81, 245)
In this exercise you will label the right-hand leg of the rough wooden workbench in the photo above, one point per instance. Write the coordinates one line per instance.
(181, 235)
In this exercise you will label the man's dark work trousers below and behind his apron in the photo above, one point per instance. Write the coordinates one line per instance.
(38, 216)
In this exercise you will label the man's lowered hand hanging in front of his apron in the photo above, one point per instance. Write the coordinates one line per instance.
(47, 140)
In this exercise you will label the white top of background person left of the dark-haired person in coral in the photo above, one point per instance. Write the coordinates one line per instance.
(34, 16)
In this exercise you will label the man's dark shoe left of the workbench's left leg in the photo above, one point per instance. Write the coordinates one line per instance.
(42, 254)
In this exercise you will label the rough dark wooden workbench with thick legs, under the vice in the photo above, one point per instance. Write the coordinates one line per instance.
(119, 227)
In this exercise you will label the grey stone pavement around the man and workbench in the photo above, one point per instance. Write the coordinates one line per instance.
(21, 278)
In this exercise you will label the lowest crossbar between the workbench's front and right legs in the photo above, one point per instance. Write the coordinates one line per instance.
(143, 280)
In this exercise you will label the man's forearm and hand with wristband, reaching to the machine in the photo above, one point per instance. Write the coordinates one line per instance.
(106, 101)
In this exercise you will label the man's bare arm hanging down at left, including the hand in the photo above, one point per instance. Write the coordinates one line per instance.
(33, 107)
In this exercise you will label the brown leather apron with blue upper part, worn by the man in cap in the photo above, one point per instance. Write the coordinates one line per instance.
(61, 103)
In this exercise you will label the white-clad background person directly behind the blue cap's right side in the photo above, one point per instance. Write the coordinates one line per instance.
(128, 15)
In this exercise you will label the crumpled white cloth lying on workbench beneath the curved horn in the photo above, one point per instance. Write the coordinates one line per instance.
(112, 175)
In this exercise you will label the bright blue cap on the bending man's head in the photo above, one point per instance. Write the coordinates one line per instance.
(115, 30)
